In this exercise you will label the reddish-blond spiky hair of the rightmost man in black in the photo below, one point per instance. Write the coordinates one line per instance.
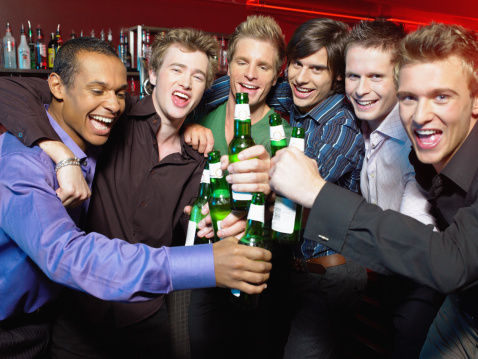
(437, 42)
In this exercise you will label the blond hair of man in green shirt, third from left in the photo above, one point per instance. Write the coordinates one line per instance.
(263, 28)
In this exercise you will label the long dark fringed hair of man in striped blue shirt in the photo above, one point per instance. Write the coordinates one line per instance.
(316, 34)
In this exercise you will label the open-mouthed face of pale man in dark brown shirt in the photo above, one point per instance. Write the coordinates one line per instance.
(179, 83)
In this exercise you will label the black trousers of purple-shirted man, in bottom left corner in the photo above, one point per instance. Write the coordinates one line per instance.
(26, 337)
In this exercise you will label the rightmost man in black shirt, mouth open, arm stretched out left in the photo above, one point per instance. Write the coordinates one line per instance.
(438, 97)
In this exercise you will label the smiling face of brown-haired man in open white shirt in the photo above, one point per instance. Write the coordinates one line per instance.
(369, 83)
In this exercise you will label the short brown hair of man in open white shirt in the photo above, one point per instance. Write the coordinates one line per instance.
(380, 34)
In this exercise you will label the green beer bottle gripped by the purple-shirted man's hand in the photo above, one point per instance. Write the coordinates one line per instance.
(253, 237)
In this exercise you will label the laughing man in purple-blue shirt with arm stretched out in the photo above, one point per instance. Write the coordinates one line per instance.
(40, 242)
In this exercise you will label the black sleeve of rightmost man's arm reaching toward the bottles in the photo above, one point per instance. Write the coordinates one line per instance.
(390, 242)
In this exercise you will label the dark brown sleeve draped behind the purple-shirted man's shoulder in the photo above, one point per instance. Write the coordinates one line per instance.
(22, 109)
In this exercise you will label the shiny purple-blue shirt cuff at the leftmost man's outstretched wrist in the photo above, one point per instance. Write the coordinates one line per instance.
(192, 267)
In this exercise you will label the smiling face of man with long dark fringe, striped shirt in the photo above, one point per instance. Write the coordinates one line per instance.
(310, 80)
